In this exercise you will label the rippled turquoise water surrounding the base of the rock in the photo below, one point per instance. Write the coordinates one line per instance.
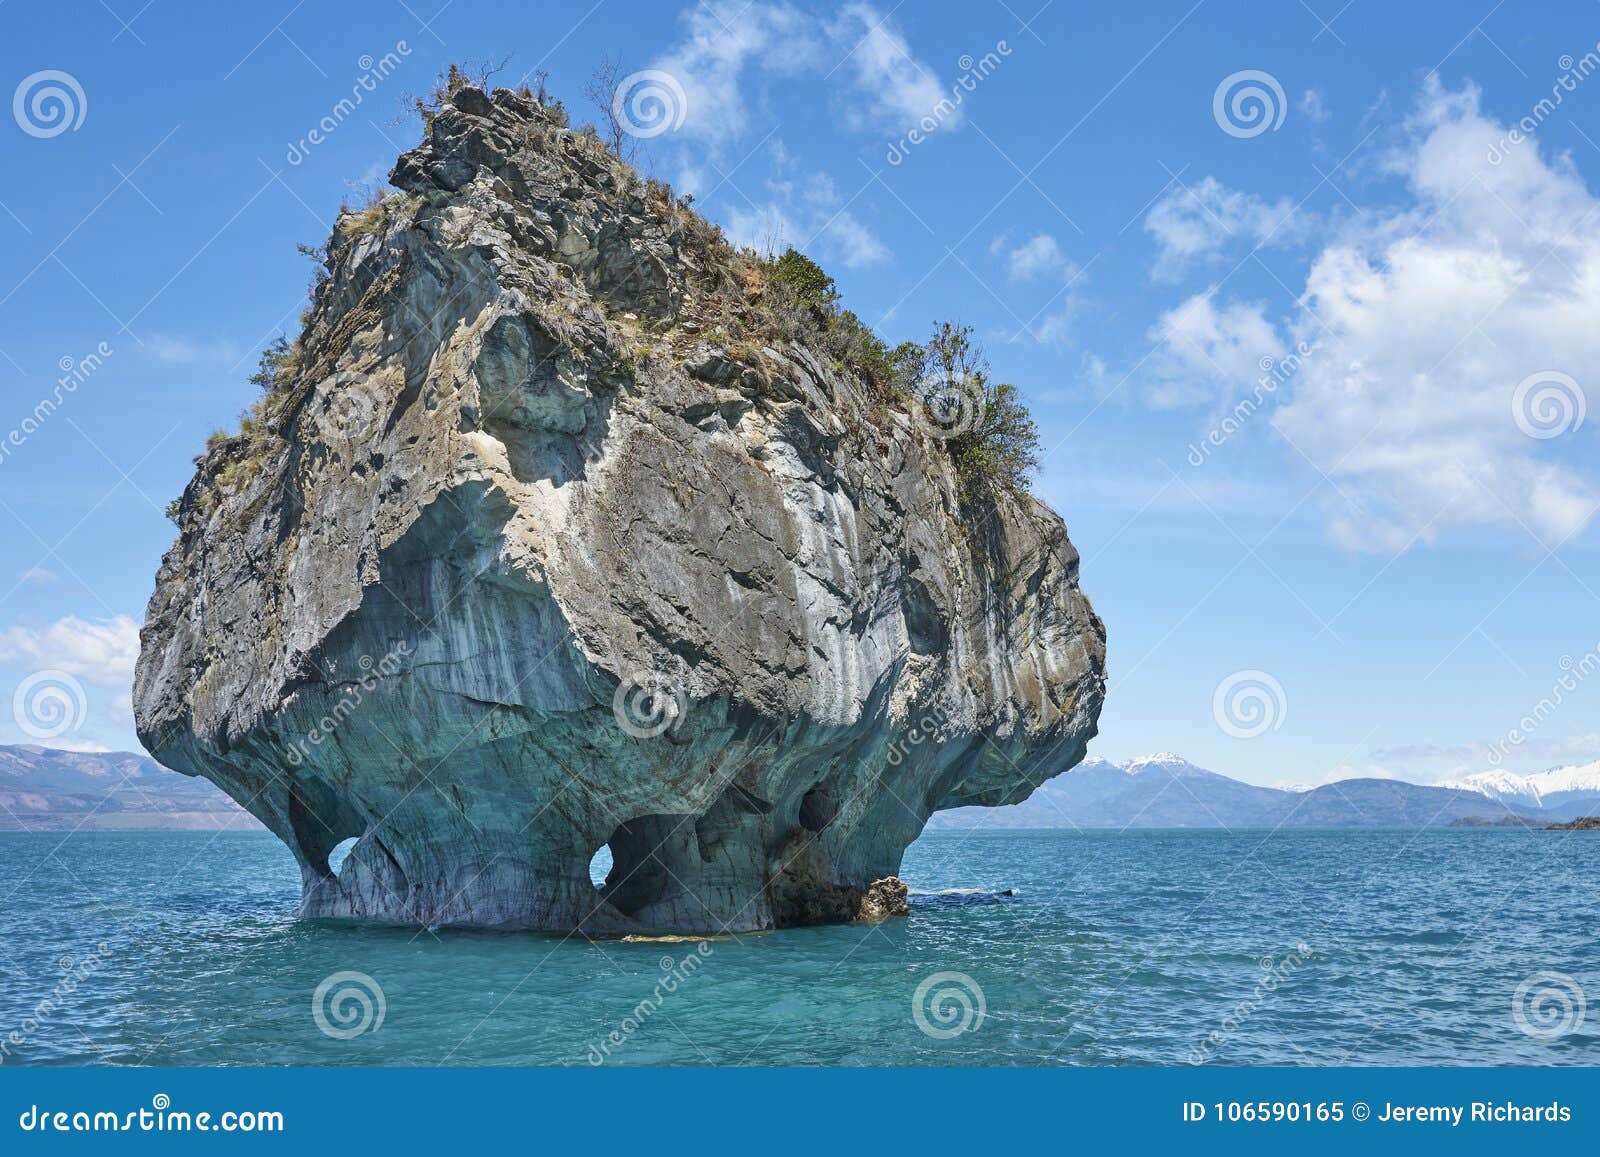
(1383, 948)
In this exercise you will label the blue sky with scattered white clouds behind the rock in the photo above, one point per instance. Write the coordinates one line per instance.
(1394, 543)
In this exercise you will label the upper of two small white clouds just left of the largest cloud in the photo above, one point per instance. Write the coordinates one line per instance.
(1194, 225)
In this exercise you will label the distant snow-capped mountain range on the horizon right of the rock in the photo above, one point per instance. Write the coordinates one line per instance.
(1169, 791)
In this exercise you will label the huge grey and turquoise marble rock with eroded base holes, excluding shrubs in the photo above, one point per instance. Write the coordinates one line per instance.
(534, 559)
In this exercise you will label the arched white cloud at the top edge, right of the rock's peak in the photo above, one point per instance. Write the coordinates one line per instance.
(732, 46)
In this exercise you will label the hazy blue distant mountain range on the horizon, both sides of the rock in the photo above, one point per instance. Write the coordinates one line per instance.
(44, 790)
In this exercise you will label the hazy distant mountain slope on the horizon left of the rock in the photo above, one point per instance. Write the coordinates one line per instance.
(60, 791)
